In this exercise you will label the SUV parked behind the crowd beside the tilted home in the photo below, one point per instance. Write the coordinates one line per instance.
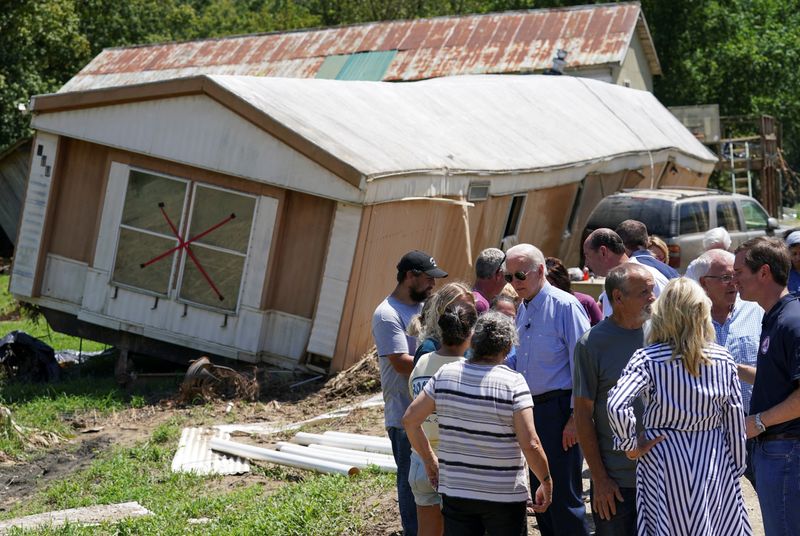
(682, 216)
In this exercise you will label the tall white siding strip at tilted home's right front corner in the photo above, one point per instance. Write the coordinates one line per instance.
(338, 264)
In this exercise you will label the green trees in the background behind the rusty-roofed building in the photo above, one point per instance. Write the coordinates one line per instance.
(742, 54)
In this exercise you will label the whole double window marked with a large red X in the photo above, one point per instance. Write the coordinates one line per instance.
(188, 243)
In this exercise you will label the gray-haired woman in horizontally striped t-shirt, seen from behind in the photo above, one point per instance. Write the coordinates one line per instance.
(486, 433)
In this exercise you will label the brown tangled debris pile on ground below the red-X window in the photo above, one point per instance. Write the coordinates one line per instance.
(205, 381)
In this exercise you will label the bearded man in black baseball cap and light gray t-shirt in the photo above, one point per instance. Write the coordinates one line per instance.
(416, 274)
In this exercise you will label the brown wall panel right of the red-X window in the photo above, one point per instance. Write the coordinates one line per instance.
(302, 243)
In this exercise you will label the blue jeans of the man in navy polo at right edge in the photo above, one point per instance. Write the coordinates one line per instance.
(777, 468)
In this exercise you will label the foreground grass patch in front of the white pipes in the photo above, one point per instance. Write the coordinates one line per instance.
(309, 504)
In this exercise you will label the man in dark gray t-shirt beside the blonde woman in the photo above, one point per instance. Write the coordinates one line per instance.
(600, 356)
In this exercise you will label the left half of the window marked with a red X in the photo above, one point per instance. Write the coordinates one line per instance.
(145, 233)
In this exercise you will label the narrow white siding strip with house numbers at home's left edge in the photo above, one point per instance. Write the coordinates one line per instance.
(34, 211)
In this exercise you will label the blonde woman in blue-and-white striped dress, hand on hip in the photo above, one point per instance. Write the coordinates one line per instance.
(692, 450)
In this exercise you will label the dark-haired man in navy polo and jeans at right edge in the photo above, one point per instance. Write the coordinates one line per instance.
(761, 270)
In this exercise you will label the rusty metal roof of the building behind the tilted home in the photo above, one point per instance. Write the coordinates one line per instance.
(510, 42)
